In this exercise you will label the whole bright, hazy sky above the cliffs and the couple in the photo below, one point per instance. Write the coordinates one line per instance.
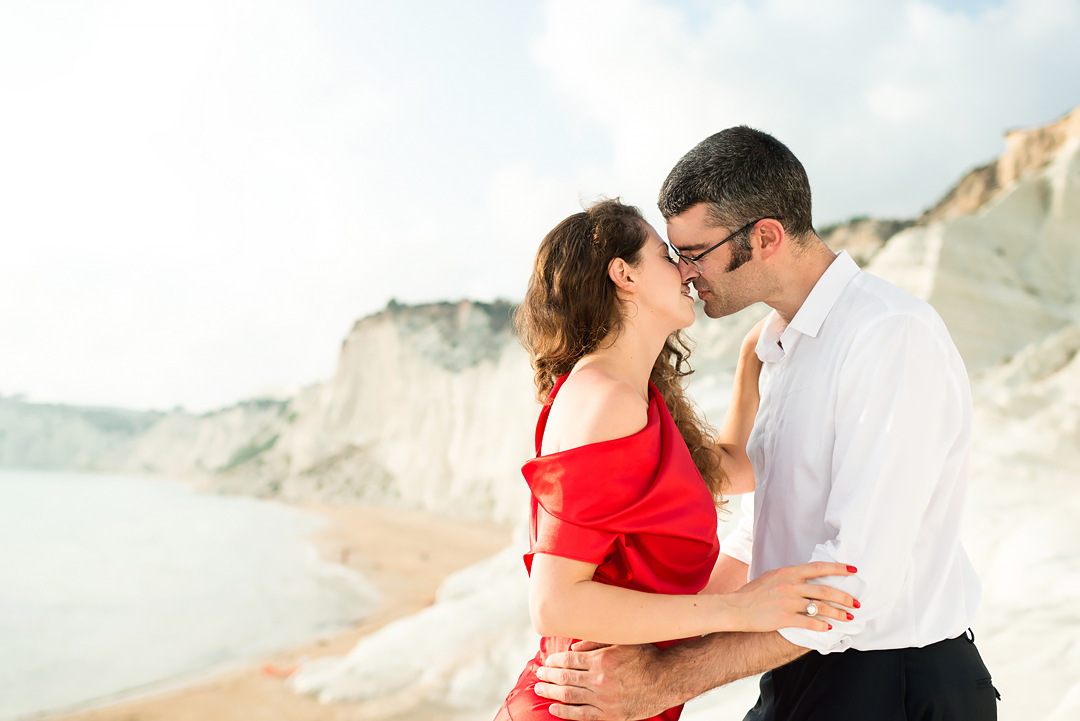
(199, 198)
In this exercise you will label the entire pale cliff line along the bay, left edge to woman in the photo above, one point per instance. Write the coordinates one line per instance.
(430, 407)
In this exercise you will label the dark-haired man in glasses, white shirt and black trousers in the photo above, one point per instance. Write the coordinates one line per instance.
(860, 454)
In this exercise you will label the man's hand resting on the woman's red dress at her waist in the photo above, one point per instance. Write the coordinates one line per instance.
(596, 683)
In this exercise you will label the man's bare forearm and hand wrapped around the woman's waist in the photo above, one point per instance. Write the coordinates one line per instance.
(630, 683)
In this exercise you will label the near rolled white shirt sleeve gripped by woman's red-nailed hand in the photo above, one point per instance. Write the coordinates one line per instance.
(903, 410)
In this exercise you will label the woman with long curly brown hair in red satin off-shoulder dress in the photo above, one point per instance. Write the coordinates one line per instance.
(626, 480)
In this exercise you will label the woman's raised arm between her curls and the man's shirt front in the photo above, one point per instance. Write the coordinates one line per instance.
(739, 420)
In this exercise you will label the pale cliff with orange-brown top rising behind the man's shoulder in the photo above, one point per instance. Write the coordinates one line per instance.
(1008, 274)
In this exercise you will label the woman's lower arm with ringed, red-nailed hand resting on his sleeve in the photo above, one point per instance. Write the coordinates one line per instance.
(564, 601)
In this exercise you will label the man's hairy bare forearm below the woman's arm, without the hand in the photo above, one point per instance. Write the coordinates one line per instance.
(692, 669)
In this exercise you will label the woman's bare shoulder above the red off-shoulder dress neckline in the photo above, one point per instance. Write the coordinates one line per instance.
(593, 406)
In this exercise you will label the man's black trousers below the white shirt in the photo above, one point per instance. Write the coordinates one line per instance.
(944, 682)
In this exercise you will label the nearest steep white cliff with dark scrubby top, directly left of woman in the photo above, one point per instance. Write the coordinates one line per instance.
(430, 407)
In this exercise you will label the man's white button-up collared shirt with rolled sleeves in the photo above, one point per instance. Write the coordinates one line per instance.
(860, 455)
